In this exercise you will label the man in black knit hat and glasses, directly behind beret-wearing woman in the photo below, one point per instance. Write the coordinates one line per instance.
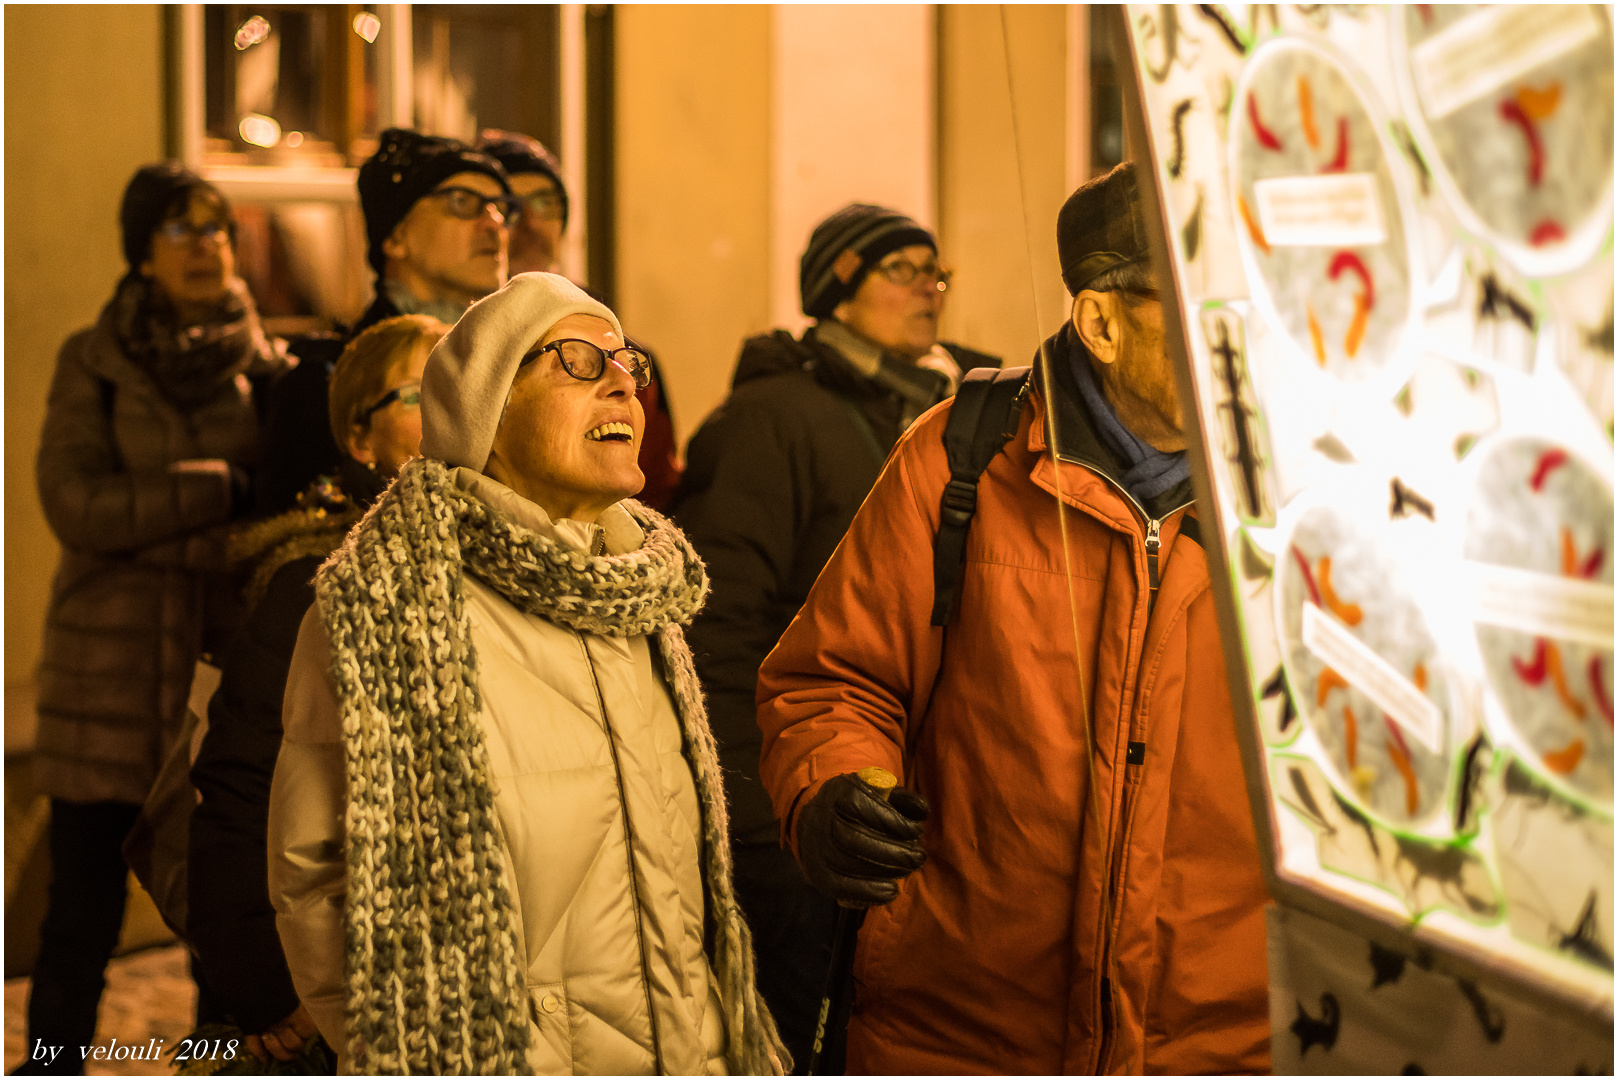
(438, 227)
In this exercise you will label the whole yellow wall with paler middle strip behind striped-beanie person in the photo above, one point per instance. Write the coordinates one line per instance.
(732, 145)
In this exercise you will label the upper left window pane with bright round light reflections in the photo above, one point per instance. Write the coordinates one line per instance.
(290, 83)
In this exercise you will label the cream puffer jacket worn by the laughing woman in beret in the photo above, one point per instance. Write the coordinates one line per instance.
(599, 817)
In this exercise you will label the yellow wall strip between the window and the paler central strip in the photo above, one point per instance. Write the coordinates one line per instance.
(693, 153)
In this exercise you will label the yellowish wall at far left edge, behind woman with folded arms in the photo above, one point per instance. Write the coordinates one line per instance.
(83, 111)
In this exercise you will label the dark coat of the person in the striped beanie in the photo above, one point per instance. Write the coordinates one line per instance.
(773, 482)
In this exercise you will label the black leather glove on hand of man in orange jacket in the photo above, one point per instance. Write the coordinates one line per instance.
(853, 846)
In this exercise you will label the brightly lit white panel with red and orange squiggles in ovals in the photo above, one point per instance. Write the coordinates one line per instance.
(1391, 234)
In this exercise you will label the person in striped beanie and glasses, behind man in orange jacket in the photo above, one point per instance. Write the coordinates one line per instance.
(773, 480)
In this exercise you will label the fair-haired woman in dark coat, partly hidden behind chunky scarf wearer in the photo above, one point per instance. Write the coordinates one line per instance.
(376, 419)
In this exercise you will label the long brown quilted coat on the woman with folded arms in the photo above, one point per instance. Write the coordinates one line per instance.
(142, 589)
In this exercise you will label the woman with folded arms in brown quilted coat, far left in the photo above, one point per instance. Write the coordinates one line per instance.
(145, 461)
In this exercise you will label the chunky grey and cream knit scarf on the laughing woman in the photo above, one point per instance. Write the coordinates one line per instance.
(434, 979)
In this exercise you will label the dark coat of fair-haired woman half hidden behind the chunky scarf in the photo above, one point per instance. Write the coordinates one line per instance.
(231, 924)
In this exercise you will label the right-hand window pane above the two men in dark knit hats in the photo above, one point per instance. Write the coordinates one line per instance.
(486, 66)
